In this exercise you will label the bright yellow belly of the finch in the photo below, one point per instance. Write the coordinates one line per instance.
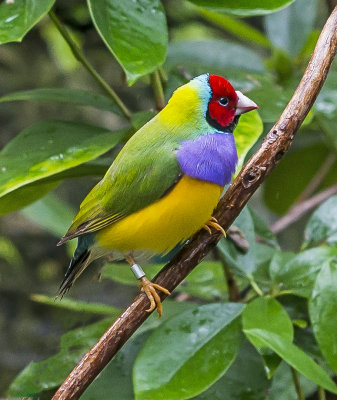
(160, 226)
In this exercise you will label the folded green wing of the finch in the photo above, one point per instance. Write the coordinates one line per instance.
(143, 172)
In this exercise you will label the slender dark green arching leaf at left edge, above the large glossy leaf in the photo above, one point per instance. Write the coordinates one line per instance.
(60, 95)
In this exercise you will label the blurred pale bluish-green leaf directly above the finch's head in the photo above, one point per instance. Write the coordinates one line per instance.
(213, 56)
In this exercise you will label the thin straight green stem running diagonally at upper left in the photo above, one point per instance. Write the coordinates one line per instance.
(87, 65)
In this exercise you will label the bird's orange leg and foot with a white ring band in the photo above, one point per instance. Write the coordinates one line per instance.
(147, 286)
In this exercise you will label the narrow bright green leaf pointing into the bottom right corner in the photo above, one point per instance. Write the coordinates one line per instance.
(293, 356)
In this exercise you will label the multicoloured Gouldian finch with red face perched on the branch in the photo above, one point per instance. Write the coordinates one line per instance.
(164, 184)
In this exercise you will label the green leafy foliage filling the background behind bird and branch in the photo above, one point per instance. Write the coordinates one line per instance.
(206, 346)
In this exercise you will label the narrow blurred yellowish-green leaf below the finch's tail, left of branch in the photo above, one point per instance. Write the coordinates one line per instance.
(76, 305)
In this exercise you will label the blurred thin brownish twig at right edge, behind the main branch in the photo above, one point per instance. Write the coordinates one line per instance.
(301, 209)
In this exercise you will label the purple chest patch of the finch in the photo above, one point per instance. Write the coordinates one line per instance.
(209, 158)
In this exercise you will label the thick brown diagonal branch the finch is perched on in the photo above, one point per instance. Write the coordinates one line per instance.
(250, 178)
